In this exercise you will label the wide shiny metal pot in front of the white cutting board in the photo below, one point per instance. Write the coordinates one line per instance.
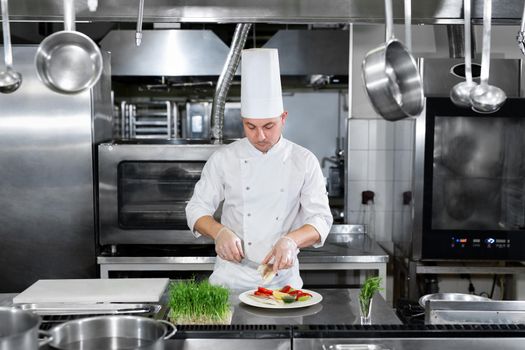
(112, 333)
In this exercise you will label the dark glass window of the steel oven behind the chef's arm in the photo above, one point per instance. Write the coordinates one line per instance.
(153, 195)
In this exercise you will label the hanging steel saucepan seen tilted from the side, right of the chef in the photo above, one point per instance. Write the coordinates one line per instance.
(391, 77)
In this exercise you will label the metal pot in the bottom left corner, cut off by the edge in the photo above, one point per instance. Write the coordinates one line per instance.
(19, 330)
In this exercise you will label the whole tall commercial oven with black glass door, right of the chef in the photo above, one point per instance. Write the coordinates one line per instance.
(469, 172)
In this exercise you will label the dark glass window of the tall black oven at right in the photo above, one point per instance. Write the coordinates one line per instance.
(478, 173)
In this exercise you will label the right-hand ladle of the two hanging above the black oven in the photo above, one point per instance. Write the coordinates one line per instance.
(486, 98)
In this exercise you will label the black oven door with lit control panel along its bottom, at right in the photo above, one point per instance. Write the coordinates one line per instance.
(473, 205)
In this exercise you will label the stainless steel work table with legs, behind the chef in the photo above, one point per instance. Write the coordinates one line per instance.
(341, 251)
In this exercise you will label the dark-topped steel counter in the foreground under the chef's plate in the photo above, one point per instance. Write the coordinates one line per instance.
(339, 307)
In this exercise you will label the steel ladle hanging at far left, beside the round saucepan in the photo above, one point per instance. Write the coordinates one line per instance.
(9, 79)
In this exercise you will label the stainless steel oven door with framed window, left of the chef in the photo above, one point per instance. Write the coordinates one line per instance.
(143, 191)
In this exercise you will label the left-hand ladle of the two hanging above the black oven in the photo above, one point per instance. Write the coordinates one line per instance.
(460, 93)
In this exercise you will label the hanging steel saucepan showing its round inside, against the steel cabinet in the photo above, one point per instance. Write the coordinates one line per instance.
(68, 61)
